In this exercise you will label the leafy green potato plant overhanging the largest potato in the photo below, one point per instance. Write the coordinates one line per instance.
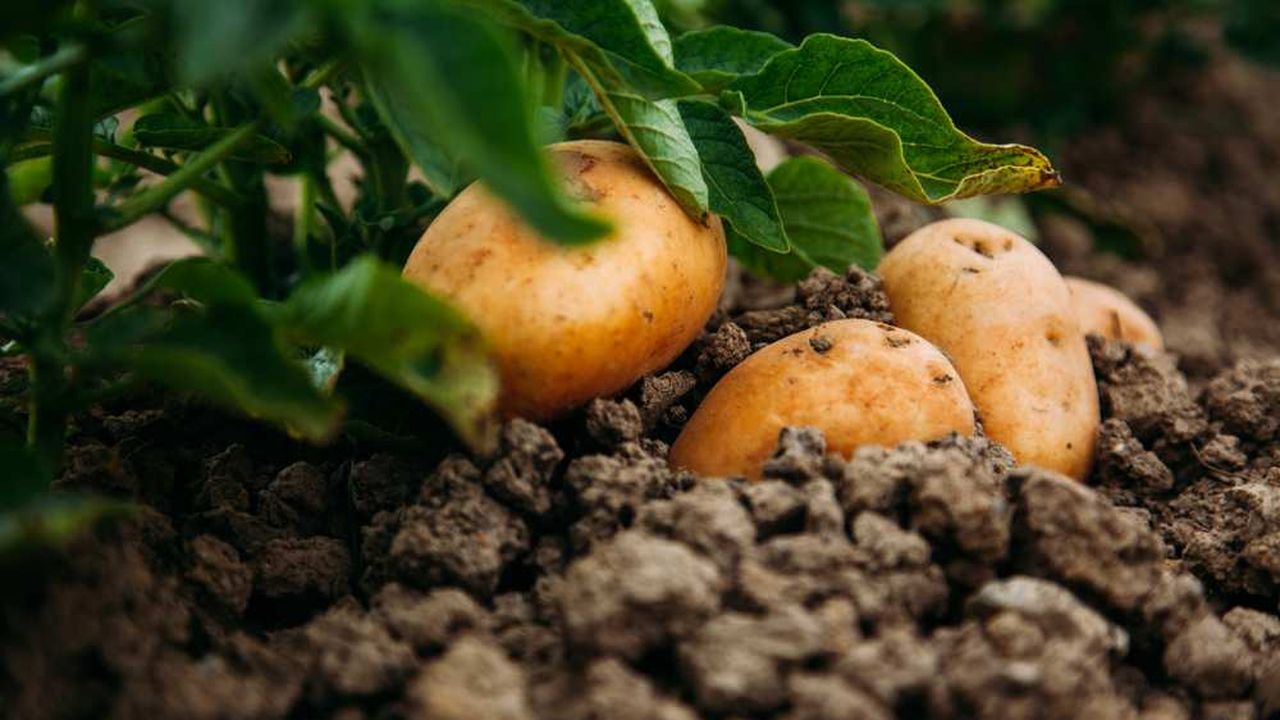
(112, 111)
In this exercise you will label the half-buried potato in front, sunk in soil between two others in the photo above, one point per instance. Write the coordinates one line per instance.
(857, 381)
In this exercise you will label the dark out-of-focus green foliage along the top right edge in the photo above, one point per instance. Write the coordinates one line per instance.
(1057, 66)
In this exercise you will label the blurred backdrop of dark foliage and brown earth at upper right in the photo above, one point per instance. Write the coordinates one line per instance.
(1162, 116)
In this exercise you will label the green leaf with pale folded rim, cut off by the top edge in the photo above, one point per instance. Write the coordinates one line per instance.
(623, 42)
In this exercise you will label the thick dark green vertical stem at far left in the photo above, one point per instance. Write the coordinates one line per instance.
(74, 212)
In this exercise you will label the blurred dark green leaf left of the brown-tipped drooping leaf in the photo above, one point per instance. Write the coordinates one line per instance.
(218, 344)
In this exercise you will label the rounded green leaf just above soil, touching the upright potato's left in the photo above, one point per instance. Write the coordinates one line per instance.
(829, 218)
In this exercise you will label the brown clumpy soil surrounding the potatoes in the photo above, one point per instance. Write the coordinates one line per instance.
(574, 576)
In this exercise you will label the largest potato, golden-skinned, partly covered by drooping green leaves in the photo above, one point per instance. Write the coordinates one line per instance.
(568, 325)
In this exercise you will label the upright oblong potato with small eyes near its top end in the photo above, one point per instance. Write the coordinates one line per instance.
(1004, 316)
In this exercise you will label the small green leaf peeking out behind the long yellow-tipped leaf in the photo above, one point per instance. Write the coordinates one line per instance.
(719, 56)
